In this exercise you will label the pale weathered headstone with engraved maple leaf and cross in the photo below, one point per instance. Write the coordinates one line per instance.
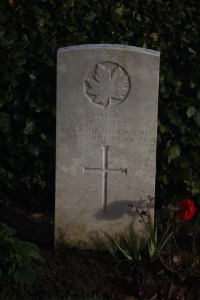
(107, 99)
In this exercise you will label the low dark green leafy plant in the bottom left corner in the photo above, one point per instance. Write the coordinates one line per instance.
(21, 260)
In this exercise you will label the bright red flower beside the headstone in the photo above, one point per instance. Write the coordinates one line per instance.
(186, 209)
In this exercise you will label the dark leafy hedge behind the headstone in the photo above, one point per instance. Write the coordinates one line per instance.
(30, 34)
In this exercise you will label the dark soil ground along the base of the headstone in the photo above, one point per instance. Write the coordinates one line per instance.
(75, 274)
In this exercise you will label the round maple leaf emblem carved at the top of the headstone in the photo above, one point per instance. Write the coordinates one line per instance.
(107, 84)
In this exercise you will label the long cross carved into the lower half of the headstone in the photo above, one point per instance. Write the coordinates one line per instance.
(105, 170)
